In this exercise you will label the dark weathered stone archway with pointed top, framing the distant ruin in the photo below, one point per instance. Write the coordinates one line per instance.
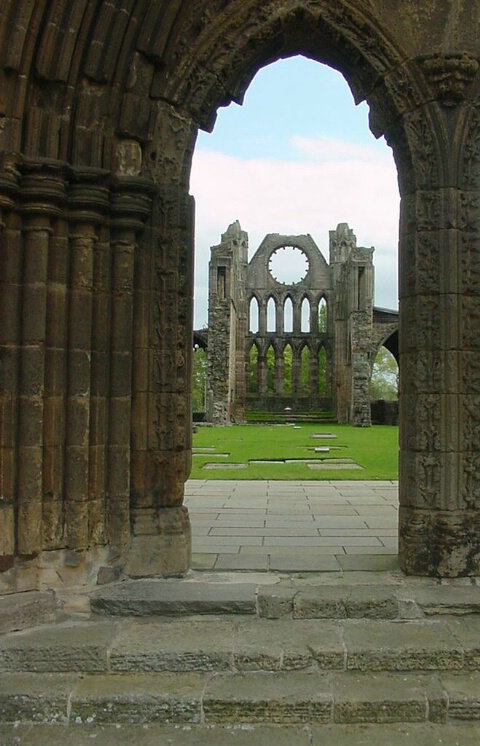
(100, 106)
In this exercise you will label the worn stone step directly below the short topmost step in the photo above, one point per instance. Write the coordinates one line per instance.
(236, 645)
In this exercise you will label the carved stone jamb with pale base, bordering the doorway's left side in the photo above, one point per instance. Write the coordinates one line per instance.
(161, 541)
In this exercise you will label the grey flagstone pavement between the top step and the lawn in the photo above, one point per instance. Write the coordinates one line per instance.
(307, 526)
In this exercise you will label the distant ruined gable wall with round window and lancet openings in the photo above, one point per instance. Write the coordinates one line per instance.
(331, 310)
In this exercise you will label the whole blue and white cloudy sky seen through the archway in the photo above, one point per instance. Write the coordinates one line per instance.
(296, 158)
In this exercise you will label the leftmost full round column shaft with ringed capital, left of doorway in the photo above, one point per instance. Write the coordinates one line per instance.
(43, 195)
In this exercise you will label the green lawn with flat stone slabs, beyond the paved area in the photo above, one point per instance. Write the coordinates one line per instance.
(375, 449)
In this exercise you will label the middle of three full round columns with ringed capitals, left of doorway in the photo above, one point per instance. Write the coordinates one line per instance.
(84, 486)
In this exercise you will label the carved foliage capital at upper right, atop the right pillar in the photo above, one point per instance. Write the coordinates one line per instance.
(450, 75)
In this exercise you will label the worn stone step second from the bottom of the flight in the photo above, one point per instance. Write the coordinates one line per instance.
(250, 698)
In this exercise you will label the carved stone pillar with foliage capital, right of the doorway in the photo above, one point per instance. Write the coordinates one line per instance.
(439, 530)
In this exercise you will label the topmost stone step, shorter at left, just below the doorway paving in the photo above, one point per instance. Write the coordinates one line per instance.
(288, 598)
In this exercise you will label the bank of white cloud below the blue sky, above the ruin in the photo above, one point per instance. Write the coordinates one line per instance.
(340, 182)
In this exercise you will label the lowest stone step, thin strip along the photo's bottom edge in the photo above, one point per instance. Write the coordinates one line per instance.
(393, 734)
